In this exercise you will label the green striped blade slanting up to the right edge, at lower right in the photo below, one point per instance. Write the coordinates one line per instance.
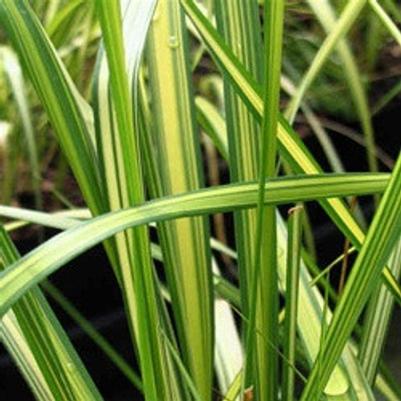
(381, 238)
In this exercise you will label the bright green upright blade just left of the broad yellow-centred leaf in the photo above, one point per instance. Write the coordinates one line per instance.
(137, 274)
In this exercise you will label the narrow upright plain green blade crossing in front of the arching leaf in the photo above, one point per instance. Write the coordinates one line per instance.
(265, 257)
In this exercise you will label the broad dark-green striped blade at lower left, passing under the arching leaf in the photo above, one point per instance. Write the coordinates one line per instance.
(41, 334)
